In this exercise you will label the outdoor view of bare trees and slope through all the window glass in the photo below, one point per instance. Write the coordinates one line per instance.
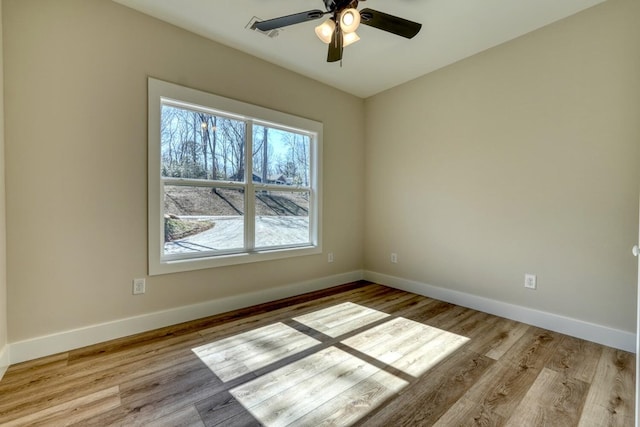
(198, 146)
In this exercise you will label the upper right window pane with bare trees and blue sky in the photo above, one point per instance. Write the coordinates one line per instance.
(280, 157)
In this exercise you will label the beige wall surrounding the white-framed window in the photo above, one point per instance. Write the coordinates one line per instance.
(76, 75)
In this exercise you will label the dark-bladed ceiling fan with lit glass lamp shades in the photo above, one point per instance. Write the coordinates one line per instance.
(339, 30)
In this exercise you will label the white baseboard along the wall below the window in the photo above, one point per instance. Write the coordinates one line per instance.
(68, 340)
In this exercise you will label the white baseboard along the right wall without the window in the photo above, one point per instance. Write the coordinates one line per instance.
(610, 337)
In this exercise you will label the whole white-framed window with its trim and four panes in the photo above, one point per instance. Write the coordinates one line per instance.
(229, 182)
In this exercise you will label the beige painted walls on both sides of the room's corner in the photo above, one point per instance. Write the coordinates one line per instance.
(524, 158)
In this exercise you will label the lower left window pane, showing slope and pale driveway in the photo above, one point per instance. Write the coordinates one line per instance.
(202, 219)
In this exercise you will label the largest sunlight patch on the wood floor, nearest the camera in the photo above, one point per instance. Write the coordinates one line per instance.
(330, 385)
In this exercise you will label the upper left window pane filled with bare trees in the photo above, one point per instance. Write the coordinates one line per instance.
(198, 145)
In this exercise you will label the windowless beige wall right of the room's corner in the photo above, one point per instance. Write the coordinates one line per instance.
(524, 158)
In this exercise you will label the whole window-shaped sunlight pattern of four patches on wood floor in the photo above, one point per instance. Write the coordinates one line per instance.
(331, 386)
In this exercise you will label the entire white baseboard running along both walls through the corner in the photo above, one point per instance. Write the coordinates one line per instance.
(68, 340)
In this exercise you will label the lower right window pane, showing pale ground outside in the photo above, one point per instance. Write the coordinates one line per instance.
(282, 218)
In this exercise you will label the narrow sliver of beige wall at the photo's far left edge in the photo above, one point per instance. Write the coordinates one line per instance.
(3, 252)
